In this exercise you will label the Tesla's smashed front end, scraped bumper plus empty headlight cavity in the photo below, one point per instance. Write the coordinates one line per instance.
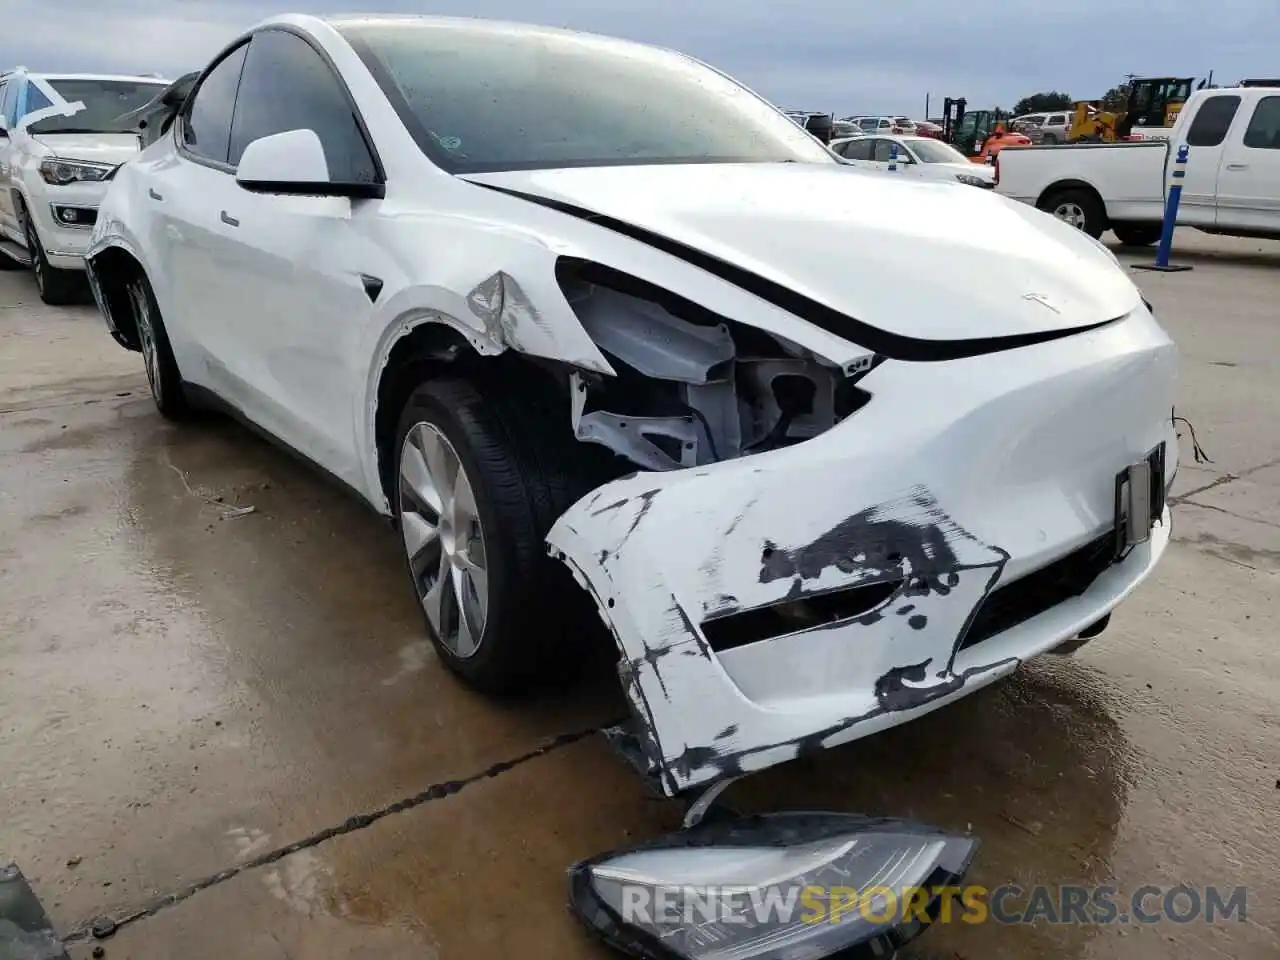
(812, 551)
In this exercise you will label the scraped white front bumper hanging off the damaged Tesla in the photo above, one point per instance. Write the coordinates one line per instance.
(958, 479)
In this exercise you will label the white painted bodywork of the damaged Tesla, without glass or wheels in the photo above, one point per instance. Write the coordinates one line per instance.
(1008, 459)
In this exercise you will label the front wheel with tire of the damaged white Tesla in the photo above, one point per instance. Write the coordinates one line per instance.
(481, 479)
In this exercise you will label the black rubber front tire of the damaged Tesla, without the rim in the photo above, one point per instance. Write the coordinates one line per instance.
(525, 470)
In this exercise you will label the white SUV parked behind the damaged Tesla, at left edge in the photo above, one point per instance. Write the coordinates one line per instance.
(61, 138)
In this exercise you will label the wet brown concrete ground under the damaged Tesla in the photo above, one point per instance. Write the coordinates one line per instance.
(231, 737)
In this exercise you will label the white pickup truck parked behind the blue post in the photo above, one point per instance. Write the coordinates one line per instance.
(1232, 184)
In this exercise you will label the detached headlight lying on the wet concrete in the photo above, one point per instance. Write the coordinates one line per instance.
(790, 886)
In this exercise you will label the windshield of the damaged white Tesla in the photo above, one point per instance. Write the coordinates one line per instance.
(487, 97)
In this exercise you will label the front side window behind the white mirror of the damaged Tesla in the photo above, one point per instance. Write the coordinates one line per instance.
(289, 86)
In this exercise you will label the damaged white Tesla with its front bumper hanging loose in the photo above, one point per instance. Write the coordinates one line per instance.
(738, 391)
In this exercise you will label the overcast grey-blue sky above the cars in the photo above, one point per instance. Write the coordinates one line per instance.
(839, 56)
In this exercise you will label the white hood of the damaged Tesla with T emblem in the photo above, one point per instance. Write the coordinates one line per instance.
(909, 258)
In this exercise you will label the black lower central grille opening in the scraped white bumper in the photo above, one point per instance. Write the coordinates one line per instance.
(1041, 591)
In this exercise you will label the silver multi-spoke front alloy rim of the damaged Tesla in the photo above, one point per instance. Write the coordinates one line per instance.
(444, 540)
